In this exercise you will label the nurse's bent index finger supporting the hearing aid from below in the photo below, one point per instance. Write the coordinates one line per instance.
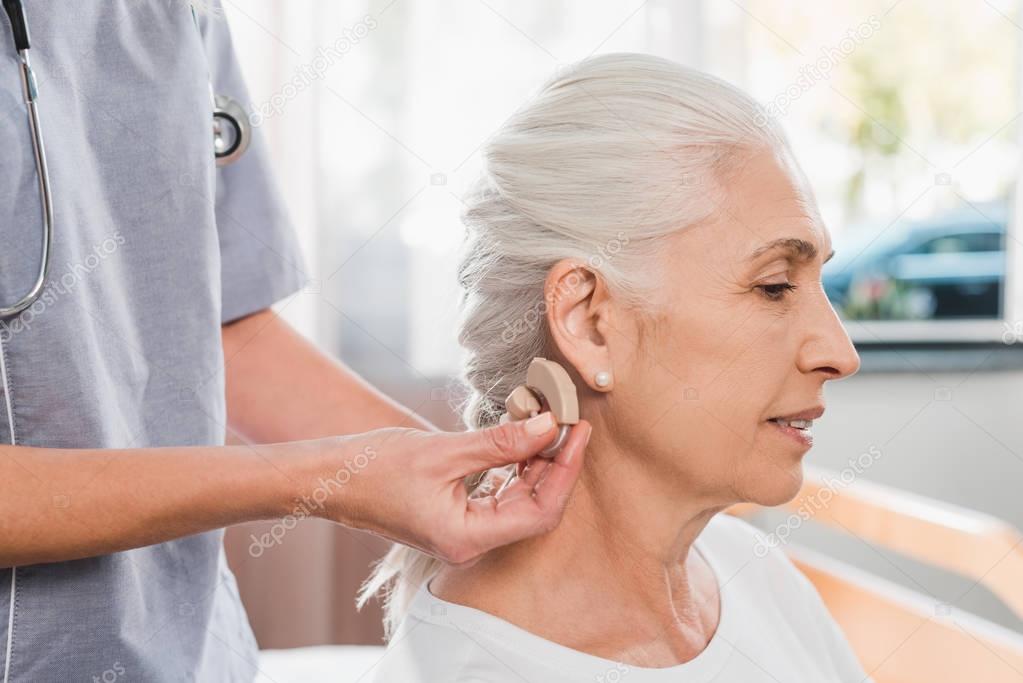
(492, 523)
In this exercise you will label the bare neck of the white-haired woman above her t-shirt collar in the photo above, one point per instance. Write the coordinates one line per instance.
(620, 560)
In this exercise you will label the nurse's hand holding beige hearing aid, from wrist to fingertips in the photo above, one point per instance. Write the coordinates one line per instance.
(407, 485)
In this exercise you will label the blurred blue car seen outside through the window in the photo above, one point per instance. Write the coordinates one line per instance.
(949, 266)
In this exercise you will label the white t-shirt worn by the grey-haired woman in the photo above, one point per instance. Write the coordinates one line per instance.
(774, 627)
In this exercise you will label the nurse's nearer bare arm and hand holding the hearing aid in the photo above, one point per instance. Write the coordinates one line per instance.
(403, 484)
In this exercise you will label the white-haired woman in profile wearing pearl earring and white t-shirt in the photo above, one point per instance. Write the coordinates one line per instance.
(646, 226)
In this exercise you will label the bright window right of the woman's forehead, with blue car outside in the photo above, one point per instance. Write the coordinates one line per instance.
(913, 152)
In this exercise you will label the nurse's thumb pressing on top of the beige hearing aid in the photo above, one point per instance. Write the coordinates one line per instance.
(502, 445)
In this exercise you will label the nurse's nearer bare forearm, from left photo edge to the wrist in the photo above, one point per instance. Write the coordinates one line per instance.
(59, 505)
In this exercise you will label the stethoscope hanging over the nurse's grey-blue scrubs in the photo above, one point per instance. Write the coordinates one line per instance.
(232, 135)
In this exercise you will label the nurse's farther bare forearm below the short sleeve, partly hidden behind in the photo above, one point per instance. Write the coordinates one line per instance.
(283, 388)
